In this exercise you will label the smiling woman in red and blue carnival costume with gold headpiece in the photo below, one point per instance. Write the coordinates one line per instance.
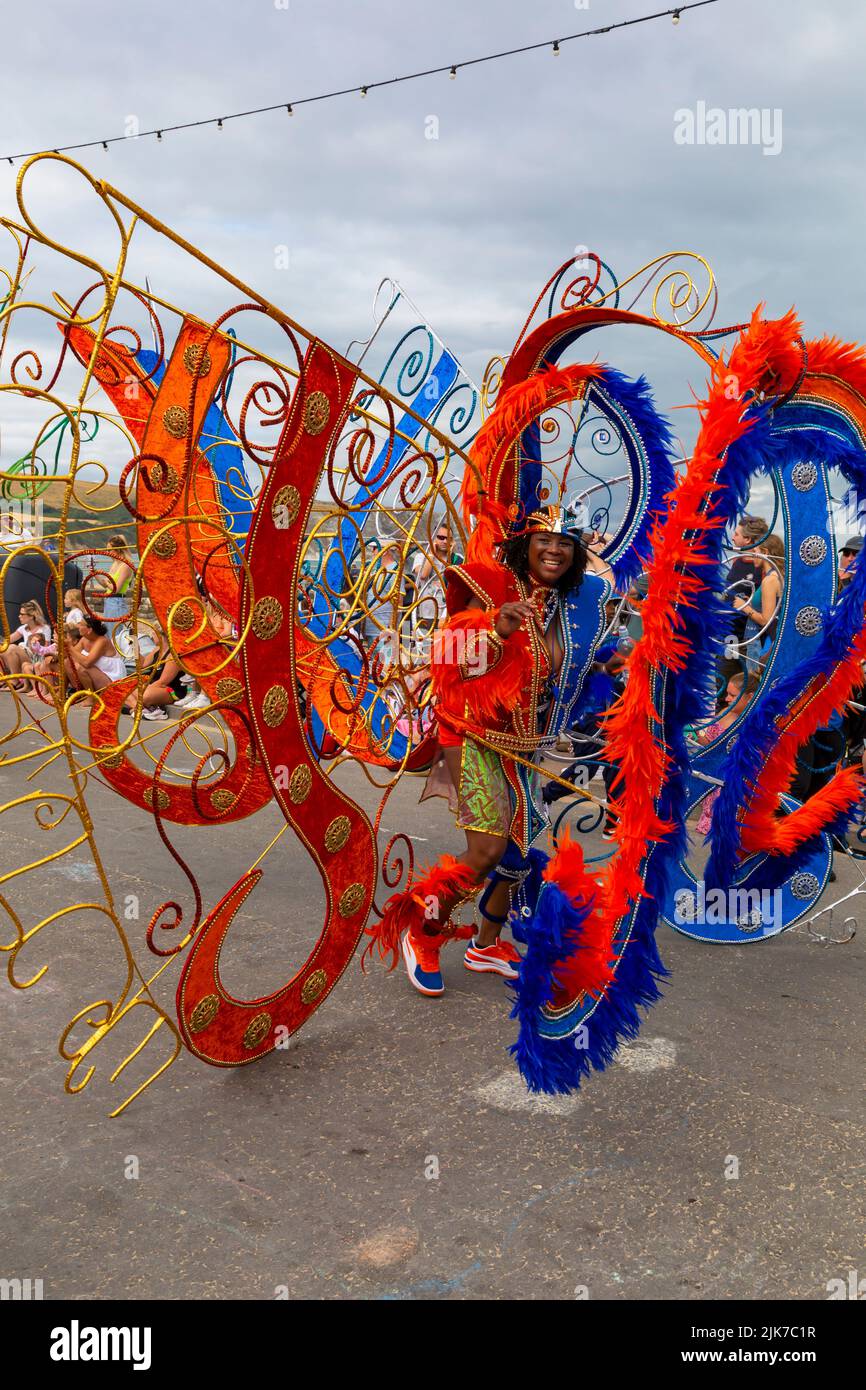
(508, 671)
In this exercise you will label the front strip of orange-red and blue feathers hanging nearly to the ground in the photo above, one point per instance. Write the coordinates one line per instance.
(686, 546)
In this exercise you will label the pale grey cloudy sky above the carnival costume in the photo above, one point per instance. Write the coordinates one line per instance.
(534, 156)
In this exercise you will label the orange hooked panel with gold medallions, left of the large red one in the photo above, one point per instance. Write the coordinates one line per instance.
(174, 480)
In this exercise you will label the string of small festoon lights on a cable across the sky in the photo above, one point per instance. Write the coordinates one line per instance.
(363, 90)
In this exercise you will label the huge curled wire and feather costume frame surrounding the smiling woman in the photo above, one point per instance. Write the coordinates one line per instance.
(279, 489)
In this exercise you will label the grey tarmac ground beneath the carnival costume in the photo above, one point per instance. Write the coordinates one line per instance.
(393, 1152)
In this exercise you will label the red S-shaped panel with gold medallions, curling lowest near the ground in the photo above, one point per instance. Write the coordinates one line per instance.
(329, 824)
